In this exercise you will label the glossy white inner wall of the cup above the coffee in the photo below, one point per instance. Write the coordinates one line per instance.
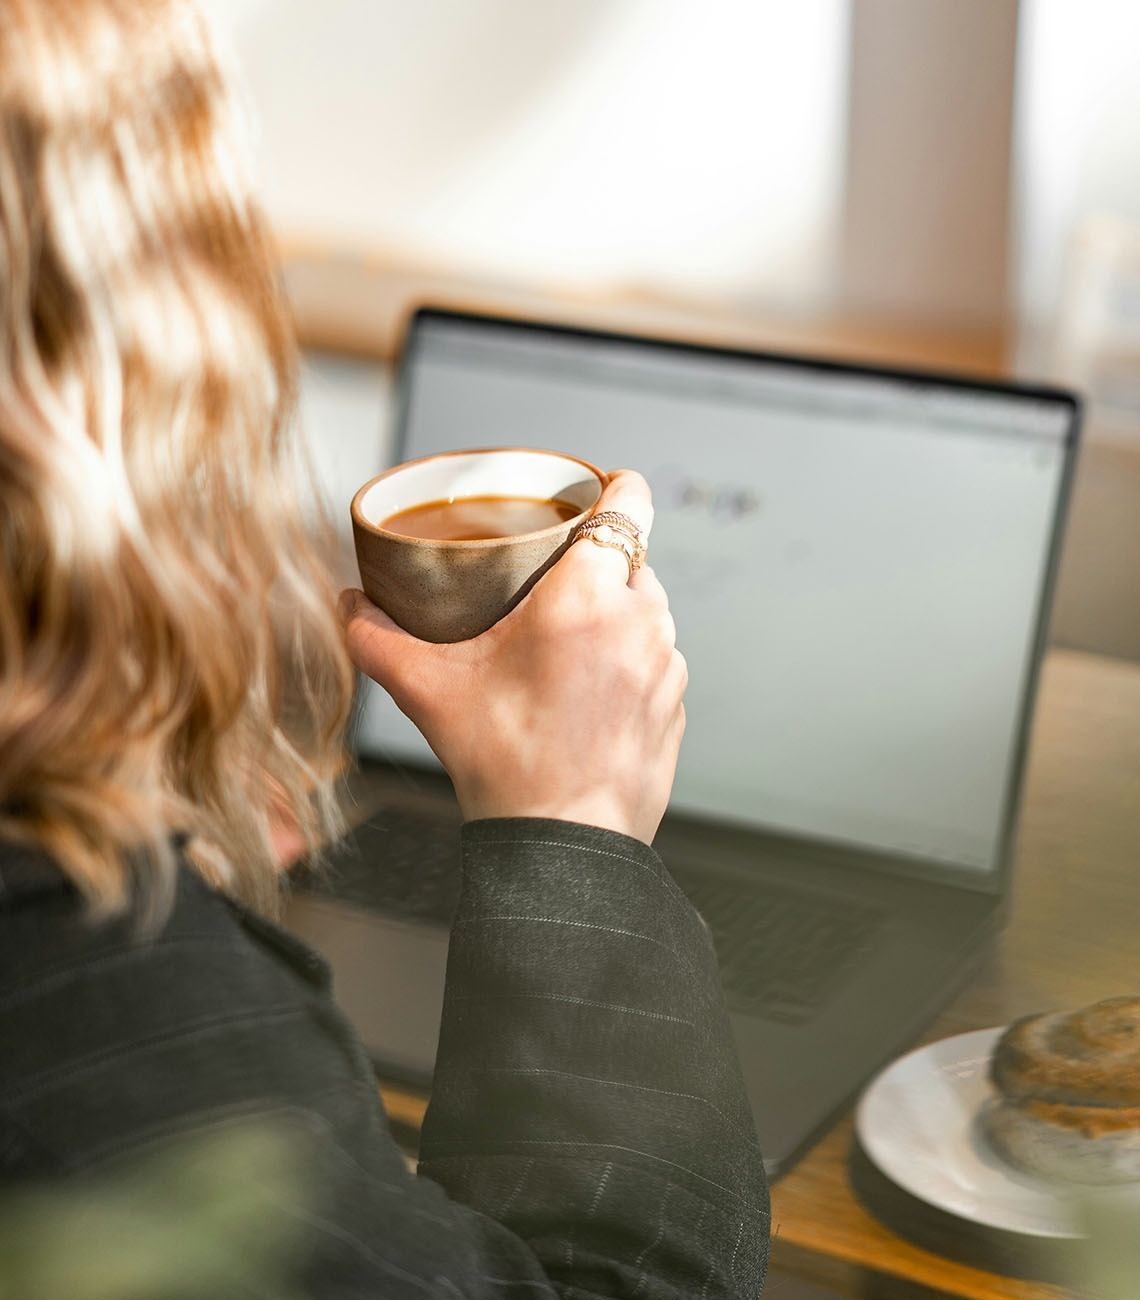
(480, 474)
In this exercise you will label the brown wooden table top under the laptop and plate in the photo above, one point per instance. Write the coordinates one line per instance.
(1073, 938)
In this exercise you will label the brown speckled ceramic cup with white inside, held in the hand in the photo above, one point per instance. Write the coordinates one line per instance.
(452, 591)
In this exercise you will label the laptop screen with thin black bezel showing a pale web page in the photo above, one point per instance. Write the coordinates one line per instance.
(856, 564)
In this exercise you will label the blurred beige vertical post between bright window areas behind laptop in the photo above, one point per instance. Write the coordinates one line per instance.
(929, 161)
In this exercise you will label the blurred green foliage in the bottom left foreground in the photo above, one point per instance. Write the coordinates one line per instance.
(222, 1212)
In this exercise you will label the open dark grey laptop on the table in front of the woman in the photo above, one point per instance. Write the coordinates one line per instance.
(860, 564)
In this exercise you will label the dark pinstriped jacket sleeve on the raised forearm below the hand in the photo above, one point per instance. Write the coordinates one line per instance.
(587, 1091)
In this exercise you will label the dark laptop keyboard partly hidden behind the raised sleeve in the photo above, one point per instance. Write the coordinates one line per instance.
(783, 952)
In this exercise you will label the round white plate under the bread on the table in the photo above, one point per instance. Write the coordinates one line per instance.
(918, 1124)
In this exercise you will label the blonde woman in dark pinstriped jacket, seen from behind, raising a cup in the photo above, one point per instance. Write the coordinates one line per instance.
(174, 691)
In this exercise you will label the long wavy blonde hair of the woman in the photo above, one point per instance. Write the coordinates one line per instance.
(171, 662)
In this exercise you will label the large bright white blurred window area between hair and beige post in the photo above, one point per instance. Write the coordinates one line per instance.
(600, 144)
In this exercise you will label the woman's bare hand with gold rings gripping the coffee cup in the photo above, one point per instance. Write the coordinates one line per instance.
(570, 708)
